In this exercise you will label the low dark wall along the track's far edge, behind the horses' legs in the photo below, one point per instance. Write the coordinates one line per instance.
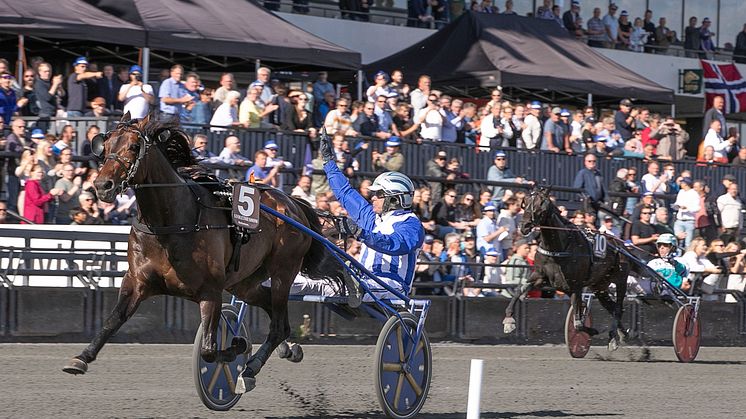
(31, 314)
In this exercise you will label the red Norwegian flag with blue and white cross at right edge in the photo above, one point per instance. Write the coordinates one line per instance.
(724, 80)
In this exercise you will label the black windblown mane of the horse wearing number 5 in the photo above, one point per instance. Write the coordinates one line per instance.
(176, 146)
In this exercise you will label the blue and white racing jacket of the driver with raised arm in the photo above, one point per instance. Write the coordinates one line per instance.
(390, 242)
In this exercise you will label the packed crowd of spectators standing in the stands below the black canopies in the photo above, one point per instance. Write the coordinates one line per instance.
(463, 223)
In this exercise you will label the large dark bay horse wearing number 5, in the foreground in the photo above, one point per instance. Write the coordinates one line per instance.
(182, 244)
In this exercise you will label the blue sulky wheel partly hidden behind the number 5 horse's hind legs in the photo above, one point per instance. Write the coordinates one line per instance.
(216, 382)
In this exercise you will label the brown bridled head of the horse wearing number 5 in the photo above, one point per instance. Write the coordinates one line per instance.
(121, 150)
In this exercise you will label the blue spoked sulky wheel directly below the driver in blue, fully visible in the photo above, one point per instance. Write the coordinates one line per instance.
(402, 382)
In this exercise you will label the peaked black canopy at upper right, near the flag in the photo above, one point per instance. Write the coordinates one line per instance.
(486, 50)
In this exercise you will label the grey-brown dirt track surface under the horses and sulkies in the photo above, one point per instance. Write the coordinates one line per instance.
(136, 381)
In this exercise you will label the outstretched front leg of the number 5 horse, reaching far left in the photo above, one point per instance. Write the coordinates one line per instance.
(130, 297)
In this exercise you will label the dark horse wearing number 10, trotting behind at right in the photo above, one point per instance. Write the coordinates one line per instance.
(566, 260)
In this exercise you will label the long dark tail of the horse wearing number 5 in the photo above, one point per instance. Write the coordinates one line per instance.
(319, 262)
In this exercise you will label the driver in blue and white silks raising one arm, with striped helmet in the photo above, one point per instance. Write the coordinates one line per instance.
(390, 233)
